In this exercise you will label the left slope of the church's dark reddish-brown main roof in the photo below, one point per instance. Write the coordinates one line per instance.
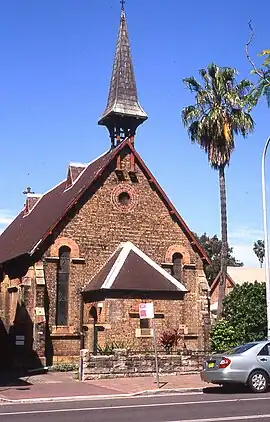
(25, 233)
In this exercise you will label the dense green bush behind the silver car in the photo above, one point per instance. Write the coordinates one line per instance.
(244, 312)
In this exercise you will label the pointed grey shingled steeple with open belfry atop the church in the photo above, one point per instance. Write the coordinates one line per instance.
(123, 113)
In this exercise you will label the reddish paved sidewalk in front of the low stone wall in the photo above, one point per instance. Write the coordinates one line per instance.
(60, 385)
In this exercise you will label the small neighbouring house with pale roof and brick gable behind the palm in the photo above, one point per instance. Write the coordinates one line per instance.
(235, 276)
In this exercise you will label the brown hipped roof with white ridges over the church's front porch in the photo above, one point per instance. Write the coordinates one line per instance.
(130, 269)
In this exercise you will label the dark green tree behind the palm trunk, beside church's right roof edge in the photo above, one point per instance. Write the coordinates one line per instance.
(212, 246)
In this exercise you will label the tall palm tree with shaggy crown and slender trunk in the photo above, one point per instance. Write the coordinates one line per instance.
(220, 112)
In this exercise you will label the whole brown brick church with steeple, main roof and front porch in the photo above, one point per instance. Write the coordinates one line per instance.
(78, 259)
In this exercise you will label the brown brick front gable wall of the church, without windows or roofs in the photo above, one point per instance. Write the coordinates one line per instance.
(98, 228)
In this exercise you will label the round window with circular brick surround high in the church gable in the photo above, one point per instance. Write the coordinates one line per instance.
(124, 198)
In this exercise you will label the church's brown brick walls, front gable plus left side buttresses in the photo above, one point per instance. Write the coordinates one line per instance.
(96, 226)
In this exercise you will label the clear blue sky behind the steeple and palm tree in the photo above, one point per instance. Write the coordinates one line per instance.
(56, 60)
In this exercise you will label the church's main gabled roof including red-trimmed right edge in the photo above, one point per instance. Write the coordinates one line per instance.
(26, 233)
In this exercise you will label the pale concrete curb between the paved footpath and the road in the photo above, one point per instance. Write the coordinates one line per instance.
(144, 393)
